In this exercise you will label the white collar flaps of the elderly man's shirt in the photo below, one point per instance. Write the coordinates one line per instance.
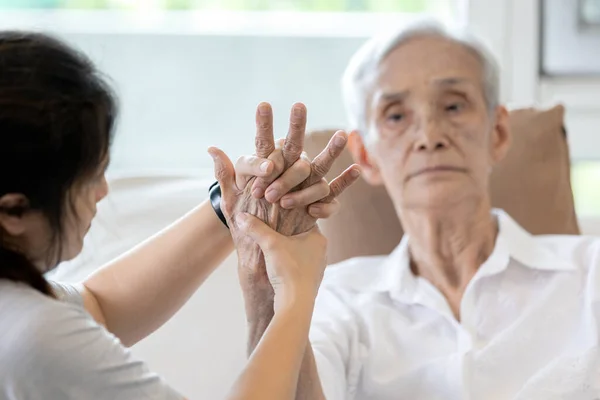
(512, 242)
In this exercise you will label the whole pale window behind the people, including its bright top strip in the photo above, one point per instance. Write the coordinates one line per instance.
(216, 57)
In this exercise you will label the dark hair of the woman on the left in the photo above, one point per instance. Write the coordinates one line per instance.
(56, 121)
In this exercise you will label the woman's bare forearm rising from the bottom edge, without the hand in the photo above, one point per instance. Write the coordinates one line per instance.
(273, 368)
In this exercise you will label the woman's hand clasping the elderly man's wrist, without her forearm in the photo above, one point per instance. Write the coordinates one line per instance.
(294, 264)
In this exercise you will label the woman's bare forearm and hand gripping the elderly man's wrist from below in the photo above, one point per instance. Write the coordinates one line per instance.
(294, 266)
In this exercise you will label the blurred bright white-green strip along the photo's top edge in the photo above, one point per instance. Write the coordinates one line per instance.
(411, 6)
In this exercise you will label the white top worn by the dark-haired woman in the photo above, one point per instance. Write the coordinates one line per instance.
(52, 349)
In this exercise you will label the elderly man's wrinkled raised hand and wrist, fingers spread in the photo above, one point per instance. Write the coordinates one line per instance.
(249, 196)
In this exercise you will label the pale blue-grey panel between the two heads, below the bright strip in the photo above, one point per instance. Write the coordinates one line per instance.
(181, 94)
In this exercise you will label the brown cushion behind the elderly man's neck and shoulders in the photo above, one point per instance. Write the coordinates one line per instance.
(532, 184)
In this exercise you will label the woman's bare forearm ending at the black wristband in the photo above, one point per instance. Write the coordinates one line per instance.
(138, 292)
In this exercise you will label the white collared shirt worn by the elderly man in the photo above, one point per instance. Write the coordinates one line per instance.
(529, 328)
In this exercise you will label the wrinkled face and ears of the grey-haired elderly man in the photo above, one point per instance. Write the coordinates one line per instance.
(432, 140)
